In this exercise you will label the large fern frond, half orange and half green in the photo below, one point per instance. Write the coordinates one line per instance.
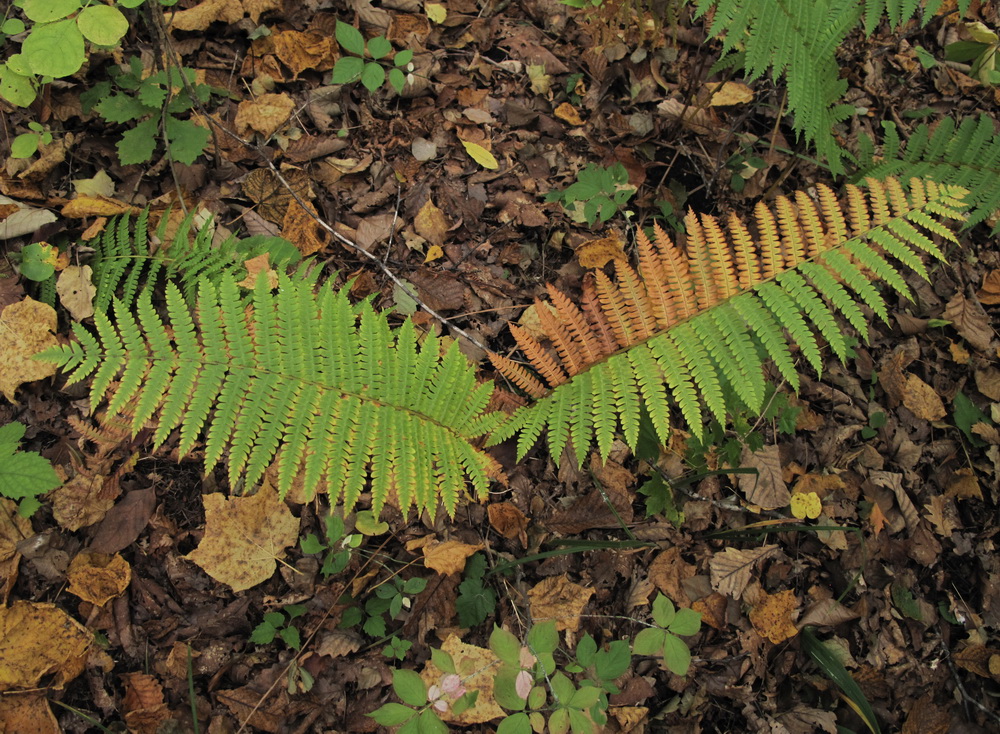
(712, 361)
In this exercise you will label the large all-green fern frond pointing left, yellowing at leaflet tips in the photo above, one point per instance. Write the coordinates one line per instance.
(325, 388)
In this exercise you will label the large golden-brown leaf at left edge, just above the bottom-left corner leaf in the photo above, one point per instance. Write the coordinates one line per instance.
(40, 641)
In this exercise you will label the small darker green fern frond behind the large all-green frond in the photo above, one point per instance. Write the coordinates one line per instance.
(123, 263)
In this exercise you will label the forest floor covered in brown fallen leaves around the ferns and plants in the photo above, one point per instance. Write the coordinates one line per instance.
(899, 443)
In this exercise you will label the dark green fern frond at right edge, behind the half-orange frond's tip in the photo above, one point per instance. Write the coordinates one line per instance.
(967, 155)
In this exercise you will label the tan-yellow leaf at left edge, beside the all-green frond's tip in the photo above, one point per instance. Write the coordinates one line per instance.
(26, 328)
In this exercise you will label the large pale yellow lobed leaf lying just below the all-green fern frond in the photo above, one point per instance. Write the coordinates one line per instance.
(244, 537)
